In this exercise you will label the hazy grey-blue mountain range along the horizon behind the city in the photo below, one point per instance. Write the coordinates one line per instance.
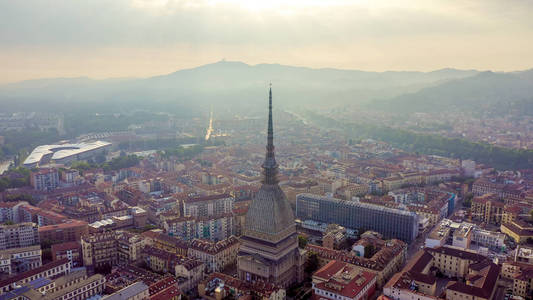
(237, 86)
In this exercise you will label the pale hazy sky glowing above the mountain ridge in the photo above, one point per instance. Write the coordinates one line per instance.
(138, 38)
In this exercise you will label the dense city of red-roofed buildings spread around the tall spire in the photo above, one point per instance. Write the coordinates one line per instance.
(326, 217)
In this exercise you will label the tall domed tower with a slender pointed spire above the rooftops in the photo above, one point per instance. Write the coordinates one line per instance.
(269, 244)
